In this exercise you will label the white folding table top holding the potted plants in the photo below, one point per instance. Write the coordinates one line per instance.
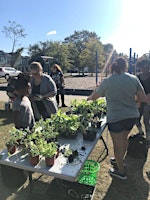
(62, 168)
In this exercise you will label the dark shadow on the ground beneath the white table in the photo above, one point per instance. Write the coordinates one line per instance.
(55, 189)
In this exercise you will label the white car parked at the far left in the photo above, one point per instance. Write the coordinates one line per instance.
(9, 72)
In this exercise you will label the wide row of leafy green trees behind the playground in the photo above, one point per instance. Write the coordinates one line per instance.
(77, 50)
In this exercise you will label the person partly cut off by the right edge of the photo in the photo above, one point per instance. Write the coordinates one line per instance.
(144, 65)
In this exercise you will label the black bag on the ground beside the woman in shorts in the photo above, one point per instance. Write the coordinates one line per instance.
(137, 146)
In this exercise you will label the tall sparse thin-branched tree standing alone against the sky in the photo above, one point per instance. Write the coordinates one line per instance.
(14, 32)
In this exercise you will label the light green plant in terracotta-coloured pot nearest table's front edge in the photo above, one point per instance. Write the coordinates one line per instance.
(49, 152)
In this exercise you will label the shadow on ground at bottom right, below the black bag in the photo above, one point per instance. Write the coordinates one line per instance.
(132, 187)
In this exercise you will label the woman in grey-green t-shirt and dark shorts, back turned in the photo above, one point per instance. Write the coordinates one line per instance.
(120, 89)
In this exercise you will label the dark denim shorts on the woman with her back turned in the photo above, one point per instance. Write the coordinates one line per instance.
(122, 125)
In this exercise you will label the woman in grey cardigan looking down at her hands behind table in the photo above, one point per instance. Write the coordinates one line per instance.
(43, 92)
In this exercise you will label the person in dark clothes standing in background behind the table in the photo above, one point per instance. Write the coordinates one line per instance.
(58, 77)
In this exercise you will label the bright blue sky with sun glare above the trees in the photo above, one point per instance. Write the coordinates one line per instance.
(123, 23)
